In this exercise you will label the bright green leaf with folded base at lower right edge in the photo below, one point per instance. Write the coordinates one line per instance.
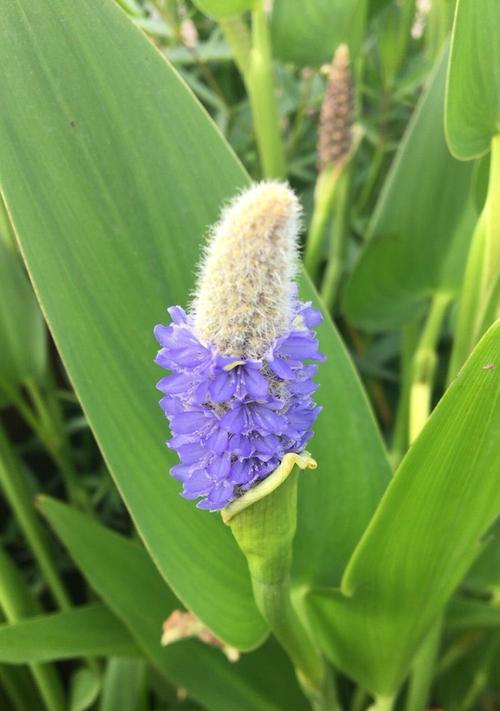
(424, 534)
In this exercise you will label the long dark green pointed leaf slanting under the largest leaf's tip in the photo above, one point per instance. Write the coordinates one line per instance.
(123, 575)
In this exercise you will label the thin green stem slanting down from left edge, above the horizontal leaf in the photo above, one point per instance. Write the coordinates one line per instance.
(19, 497)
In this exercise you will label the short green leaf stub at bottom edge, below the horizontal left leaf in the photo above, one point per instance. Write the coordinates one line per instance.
(124, 685)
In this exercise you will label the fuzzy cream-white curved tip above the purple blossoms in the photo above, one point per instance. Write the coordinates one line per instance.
(242, 301)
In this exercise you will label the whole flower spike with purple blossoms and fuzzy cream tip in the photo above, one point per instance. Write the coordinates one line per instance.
(239, 393)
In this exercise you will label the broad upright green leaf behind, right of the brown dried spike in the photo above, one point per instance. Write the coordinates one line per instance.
(421, 228)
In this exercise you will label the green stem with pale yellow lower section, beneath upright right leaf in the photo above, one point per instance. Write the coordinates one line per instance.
(424, 365)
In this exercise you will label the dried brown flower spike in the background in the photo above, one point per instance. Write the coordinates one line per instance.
(335, 129)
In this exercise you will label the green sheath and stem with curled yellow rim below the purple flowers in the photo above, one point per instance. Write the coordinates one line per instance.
(263, 523)
